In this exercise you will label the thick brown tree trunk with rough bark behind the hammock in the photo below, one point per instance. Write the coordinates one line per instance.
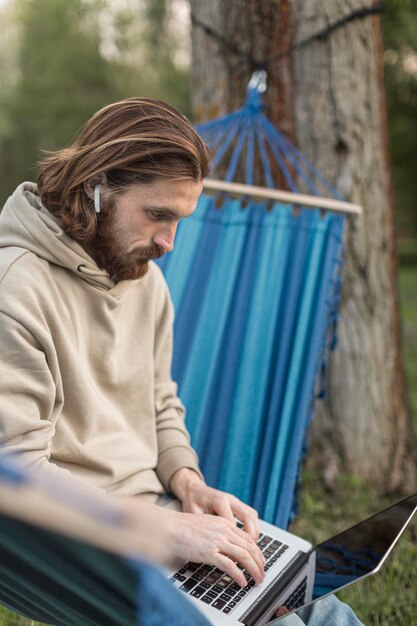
(328, 98)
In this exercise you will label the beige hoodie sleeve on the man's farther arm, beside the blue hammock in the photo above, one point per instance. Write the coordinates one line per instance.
(174, 449)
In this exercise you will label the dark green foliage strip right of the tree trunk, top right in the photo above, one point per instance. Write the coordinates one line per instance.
(400, 42)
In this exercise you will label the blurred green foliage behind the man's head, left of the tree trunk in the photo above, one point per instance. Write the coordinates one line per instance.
(64, 73)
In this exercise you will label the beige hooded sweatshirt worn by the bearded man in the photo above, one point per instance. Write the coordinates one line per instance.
(85, 384)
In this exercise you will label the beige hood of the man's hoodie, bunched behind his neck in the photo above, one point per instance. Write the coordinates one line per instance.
(26, 223)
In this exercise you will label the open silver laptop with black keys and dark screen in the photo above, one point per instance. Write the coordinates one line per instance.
(297, 573)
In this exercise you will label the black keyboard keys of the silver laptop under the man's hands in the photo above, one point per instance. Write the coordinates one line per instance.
(216, 588)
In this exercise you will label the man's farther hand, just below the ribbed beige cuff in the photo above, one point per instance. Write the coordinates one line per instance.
(197, 497)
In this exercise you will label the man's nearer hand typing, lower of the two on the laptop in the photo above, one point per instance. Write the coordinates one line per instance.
(216, 541)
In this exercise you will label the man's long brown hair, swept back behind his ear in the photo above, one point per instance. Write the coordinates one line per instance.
(137, 140)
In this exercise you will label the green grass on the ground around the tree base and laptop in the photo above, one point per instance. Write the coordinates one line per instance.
(390, 597)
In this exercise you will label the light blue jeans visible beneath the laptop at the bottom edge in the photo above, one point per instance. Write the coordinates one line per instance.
(328, 611)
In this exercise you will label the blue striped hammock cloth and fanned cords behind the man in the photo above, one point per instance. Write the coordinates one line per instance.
(256, 294)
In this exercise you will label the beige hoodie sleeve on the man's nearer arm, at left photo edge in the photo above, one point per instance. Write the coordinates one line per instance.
(28, 402)
